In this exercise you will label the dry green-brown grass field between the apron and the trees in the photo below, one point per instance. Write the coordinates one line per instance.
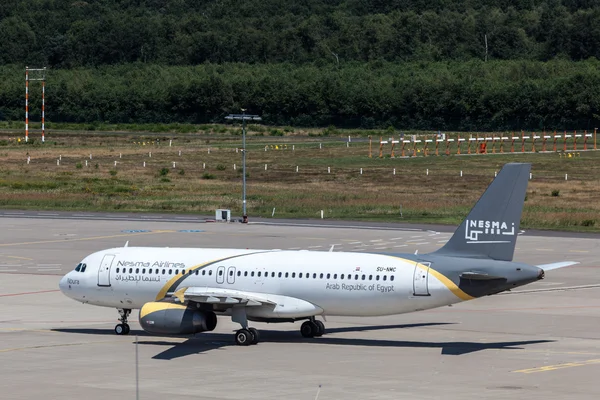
(204, 178)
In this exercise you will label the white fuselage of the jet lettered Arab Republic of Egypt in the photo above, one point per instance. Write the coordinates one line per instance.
(336, 283)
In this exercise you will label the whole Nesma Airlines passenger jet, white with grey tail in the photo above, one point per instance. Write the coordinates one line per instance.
(180, 291)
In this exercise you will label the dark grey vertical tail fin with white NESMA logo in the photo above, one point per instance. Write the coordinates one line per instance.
(491, 228)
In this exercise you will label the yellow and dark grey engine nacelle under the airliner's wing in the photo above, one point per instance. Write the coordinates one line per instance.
(165, 318)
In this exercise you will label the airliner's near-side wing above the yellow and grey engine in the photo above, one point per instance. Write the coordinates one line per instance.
(219, 296)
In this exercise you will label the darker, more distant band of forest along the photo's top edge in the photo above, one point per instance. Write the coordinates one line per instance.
(68, 33)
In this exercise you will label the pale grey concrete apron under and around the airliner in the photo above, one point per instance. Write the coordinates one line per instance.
(540, 342)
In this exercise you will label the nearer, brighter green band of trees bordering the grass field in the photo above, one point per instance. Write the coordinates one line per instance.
(498, 95)
